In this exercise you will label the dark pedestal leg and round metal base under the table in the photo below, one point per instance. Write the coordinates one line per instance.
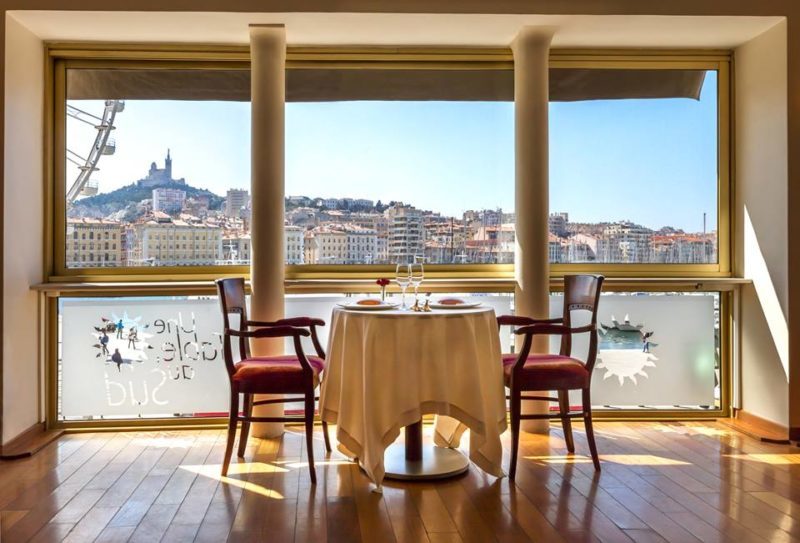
(417, 462)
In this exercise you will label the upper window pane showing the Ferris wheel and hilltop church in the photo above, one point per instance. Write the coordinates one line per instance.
(156, 168)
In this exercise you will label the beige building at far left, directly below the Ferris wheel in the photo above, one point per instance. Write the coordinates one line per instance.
(94, 243)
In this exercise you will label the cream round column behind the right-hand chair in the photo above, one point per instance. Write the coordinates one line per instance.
(531, 50)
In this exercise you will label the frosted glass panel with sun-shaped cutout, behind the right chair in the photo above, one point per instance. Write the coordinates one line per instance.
(656, 349)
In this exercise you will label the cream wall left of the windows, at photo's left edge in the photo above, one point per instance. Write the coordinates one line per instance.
(23, 228)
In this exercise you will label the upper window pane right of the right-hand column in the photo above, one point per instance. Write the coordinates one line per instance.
(634, 169)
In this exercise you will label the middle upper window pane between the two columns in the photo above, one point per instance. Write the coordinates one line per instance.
(407, 164)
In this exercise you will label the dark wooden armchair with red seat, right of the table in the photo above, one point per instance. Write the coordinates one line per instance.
(526, 372)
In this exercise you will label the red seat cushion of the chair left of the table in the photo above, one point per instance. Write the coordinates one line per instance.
(275, 374)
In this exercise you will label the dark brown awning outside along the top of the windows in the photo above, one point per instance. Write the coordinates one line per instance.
(334, 84)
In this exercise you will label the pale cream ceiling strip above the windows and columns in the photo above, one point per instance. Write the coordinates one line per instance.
(317, 29)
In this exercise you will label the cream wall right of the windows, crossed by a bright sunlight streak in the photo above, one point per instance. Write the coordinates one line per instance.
(761, 174)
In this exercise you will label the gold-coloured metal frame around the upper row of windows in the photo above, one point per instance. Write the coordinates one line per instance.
(61, 57)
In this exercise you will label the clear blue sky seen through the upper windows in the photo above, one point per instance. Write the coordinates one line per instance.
(649, 161)
